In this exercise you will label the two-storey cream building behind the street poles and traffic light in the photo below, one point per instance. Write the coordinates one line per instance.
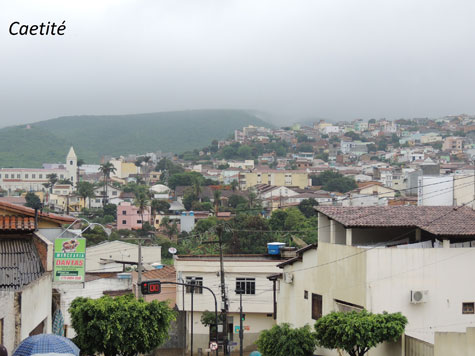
(241, 271)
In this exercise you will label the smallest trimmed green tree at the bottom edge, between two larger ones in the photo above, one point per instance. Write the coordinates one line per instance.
(283, 340)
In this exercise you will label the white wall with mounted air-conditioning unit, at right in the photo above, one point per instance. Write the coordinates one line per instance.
(444, 272)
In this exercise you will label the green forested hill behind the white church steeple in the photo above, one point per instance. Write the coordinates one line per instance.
(95, 136)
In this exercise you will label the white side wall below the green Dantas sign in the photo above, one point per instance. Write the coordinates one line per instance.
(36, 305)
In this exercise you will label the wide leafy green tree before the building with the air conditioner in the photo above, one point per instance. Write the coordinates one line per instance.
(357, 332)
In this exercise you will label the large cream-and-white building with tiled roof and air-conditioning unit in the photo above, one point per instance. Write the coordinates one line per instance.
(397, 259)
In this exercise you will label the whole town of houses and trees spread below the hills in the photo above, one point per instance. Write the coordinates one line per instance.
(299, 234)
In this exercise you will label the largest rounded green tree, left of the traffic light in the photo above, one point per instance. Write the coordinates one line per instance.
(121, 326)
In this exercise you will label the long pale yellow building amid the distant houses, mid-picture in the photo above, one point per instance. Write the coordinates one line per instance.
(287, 178)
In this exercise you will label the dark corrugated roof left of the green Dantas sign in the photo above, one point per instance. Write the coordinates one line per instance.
(19, 263)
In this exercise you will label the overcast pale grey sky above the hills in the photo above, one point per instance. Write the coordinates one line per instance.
(296, 59)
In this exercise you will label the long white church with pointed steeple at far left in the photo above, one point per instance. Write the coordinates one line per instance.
(32, 179)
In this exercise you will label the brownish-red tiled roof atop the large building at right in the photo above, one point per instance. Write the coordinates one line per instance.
(437, 220)
